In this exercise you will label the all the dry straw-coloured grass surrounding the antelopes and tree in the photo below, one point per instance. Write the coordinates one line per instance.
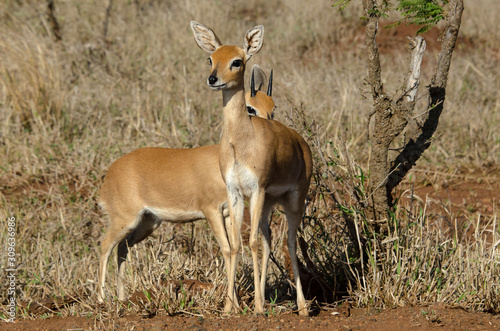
(69, 109)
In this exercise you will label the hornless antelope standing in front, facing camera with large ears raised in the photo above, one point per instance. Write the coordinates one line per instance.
(262, 160)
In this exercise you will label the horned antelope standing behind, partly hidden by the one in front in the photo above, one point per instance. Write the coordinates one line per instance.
(151, 185)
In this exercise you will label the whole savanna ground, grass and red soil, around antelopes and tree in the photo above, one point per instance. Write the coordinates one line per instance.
(105, 82)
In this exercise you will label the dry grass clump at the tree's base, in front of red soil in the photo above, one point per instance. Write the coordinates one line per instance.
(422, 263)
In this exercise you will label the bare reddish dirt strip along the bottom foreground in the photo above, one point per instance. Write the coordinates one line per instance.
(421, 318)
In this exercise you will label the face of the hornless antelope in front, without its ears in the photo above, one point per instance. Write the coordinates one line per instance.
(227, 68)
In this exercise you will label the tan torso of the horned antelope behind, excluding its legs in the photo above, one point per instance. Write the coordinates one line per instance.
(184, 179)
